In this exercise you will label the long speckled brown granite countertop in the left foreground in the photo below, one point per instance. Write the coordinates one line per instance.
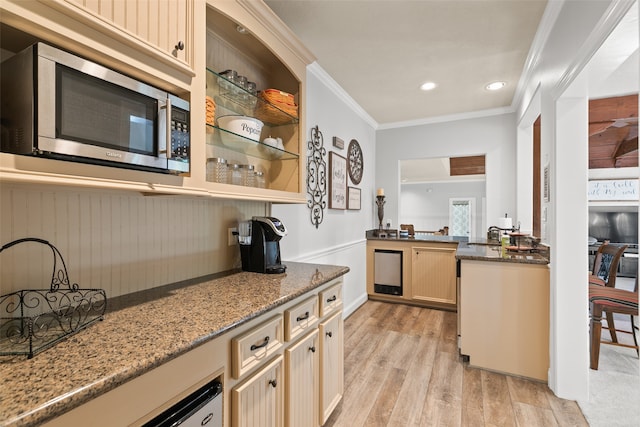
(140, 332)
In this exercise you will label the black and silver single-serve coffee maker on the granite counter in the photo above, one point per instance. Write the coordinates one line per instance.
(259, 241)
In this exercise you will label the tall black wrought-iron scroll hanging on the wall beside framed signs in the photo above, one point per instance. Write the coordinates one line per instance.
(316, 176)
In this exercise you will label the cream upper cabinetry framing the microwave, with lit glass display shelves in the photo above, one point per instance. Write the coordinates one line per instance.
(248, 67)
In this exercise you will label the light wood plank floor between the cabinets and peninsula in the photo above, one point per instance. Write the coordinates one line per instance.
(402, 369)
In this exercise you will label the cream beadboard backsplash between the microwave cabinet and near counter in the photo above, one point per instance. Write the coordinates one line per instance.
(117, 241)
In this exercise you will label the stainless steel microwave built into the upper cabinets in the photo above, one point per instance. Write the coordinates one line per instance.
(58, 105)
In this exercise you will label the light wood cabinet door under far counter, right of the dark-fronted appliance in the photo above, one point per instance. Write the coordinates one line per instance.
(433, 274)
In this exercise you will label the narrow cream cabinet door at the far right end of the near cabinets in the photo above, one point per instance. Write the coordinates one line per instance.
(331, 365)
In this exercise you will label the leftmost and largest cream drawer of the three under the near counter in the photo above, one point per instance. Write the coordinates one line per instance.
(255, 346)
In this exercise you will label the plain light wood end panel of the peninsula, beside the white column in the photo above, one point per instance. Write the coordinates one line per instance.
(504, 317)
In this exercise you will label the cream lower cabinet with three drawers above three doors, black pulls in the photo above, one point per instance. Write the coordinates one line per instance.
(302, 385)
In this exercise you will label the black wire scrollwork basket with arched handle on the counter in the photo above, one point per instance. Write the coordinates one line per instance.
(33, 320)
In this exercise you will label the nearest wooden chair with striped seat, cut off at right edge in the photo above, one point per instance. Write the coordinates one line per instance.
(611, 300)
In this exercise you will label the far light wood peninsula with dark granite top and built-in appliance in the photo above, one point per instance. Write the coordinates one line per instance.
(502, 296)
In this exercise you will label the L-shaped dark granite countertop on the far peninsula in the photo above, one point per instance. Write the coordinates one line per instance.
(478, 249)
